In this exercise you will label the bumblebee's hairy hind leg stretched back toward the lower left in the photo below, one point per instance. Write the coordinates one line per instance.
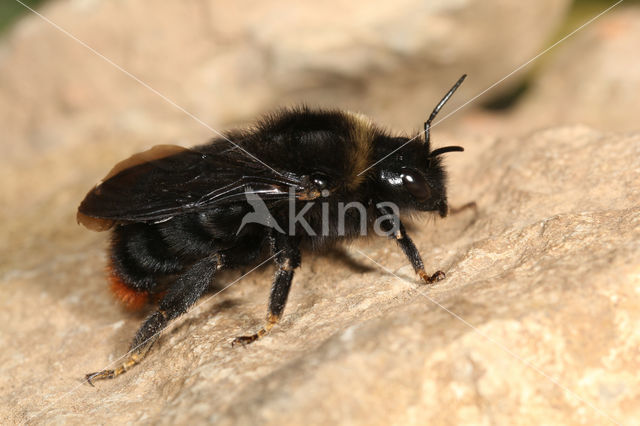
(186, 290)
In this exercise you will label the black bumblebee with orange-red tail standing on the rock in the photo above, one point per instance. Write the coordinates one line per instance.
(179, 215)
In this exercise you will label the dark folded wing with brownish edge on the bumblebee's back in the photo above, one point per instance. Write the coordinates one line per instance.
(166, 181)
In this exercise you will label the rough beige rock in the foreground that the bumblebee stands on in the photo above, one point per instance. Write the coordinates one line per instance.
(538, 318)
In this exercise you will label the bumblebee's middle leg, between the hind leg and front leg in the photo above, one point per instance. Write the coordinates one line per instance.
(287, 259)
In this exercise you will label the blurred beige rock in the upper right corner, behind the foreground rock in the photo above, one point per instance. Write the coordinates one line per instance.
(593, 79)
